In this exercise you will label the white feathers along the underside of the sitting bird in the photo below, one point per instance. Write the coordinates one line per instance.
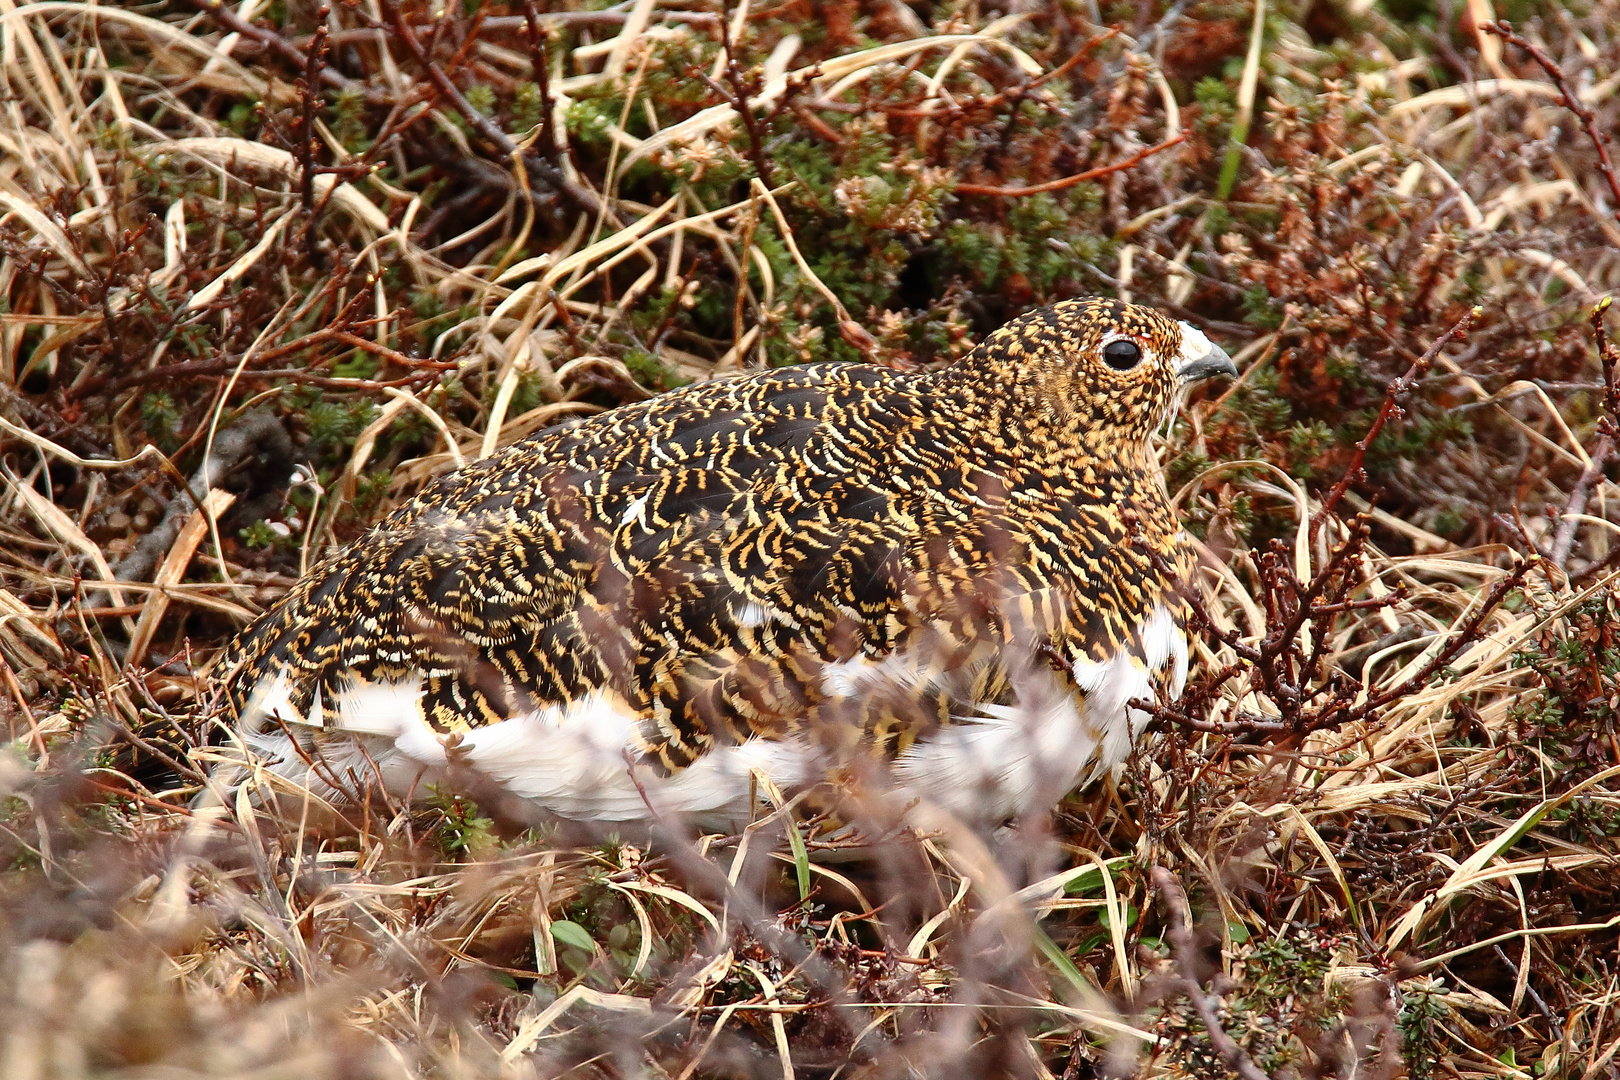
(576, 760)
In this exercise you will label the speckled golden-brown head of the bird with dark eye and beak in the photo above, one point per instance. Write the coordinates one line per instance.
(1111, 370)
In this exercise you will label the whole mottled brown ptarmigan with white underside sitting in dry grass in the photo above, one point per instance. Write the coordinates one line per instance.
(804, 574)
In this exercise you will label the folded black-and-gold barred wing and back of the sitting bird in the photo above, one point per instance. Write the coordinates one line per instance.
(599, 558)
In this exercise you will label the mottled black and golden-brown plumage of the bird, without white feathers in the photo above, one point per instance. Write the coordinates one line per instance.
(706, 555)
